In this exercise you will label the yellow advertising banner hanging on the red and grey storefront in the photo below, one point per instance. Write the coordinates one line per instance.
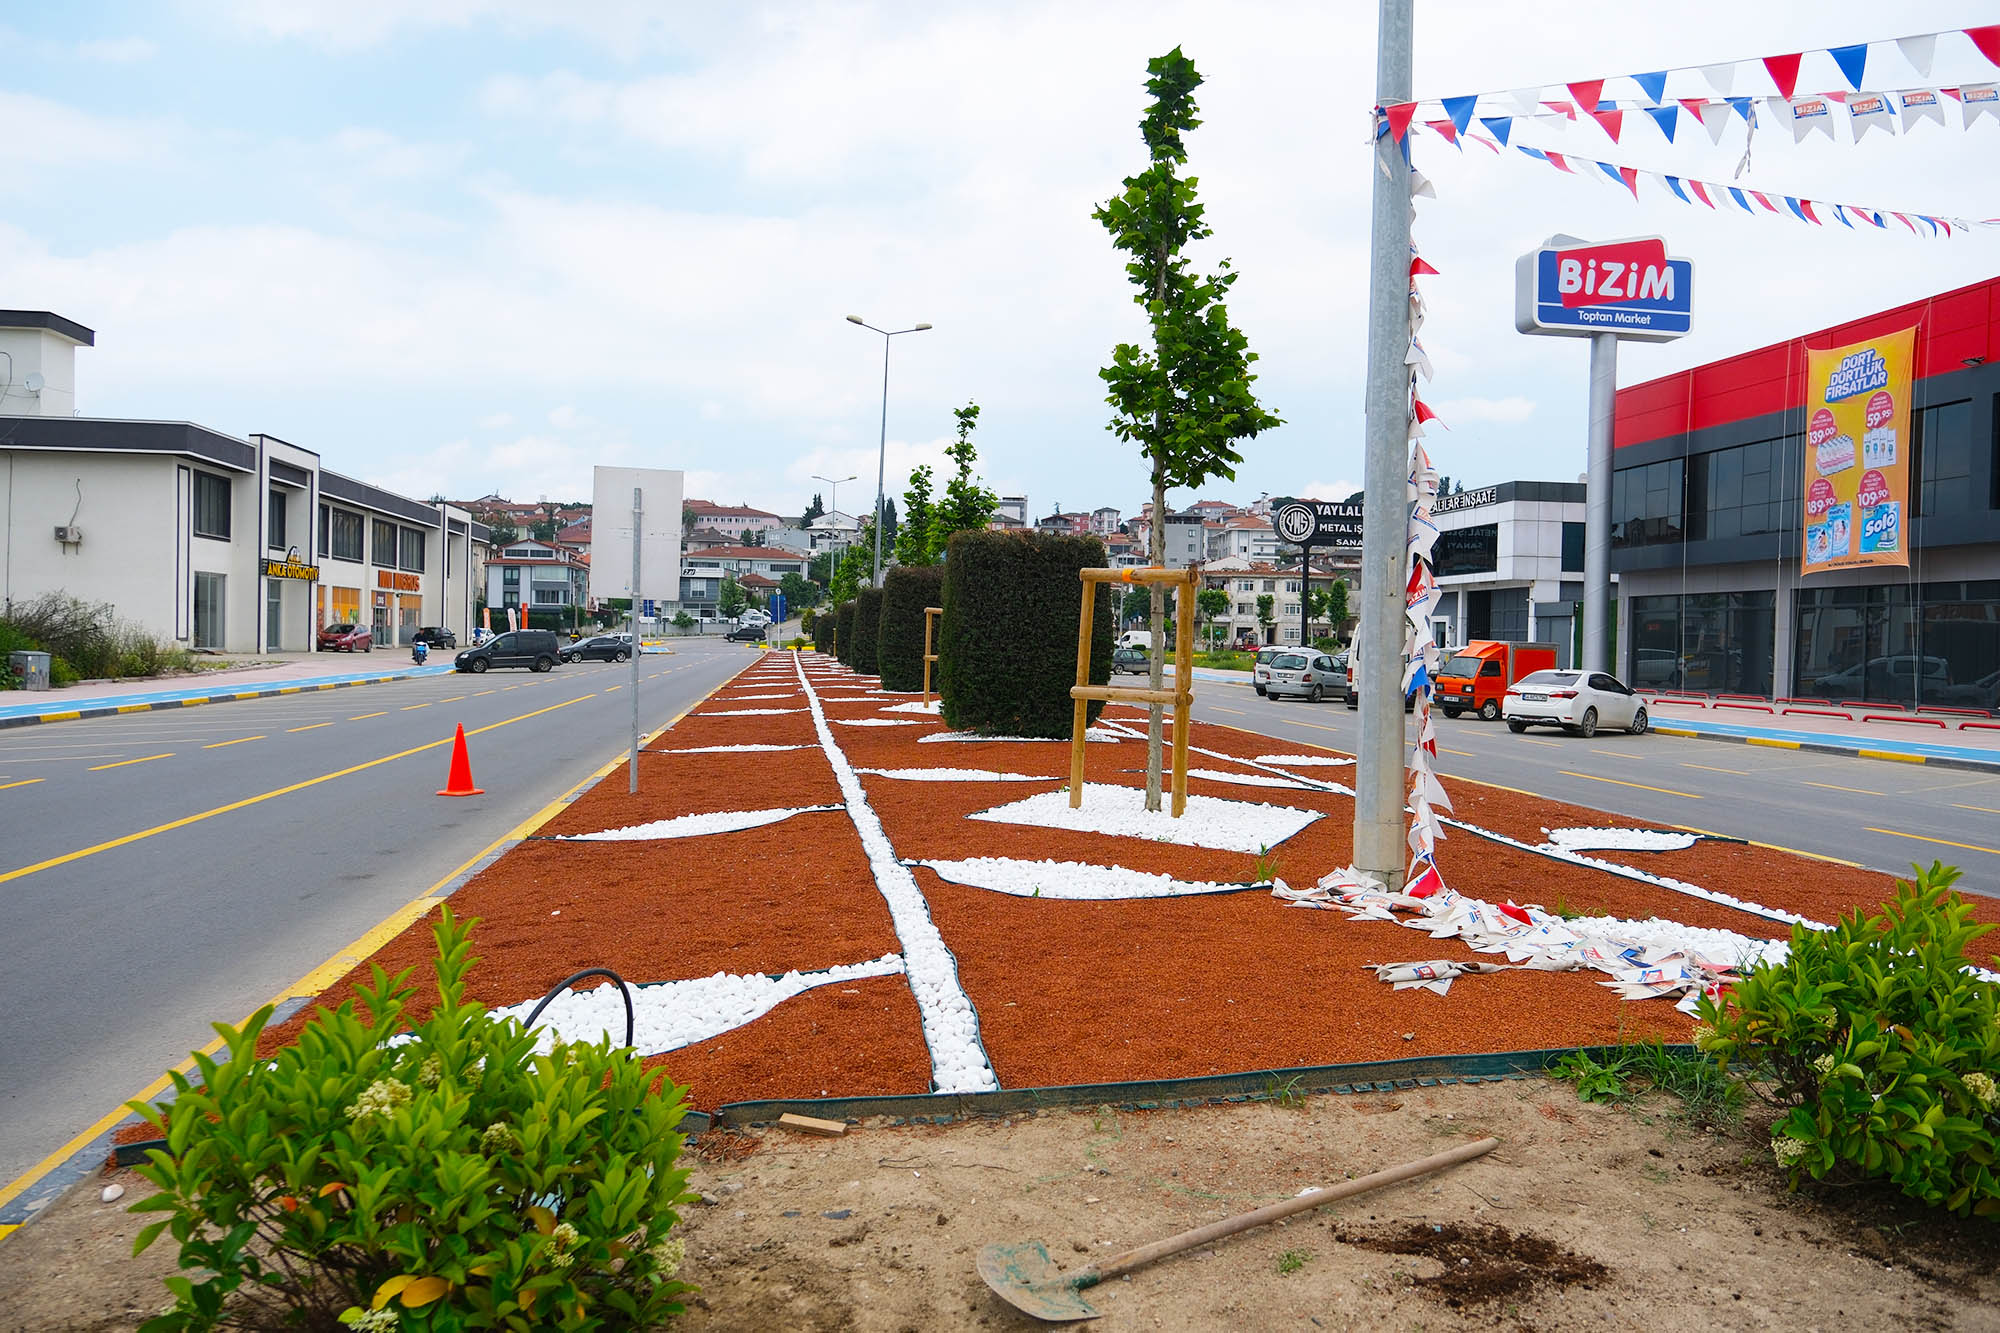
(1859, 455)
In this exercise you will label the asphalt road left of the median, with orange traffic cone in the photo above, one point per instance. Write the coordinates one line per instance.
(167, 870)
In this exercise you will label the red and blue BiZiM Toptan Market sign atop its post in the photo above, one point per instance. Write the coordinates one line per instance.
(1625, 287)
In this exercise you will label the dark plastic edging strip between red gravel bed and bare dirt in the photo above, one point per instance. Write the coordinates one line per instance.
(1167, 1094)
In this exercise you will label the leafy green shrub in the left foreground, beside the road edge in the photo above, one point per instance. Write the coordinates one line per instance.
(457, 1182)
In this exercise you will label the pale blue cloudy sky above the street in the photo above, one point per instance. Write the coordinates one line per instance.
(483, 245)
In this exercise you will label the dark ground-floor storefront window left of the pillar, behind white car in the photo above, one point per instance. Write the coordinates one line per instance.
(1717, 643)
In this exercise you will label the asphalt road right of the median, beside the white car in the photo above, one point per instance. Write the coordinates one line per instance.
(1861, 812)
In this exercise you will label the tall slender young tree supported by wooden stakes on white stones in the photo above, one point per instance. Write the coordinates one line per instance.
(1187, 399)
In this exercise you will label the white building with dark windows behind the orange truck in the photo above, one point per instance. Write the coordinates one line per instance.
(1511, 563)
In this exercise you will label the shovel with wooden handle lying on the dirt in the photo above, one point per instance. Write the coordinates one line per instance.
(1027, 1278)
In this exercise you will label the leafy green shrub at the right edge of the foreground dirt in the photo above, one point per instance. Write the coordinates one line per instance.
(1881, 1046)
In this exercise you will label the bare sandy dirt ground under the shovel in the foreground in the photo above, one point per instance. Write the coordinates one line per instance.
(1619, 1218)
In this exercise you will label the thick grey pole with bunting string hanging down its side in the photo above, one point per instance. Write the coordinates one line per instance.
(1379, 830)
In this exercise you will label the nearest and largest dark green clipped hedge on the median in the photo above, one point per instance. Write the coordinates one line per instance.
(1007, 639)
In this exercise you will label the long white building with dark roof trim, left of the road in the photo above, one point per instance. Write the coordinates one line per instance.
(201, 537)
